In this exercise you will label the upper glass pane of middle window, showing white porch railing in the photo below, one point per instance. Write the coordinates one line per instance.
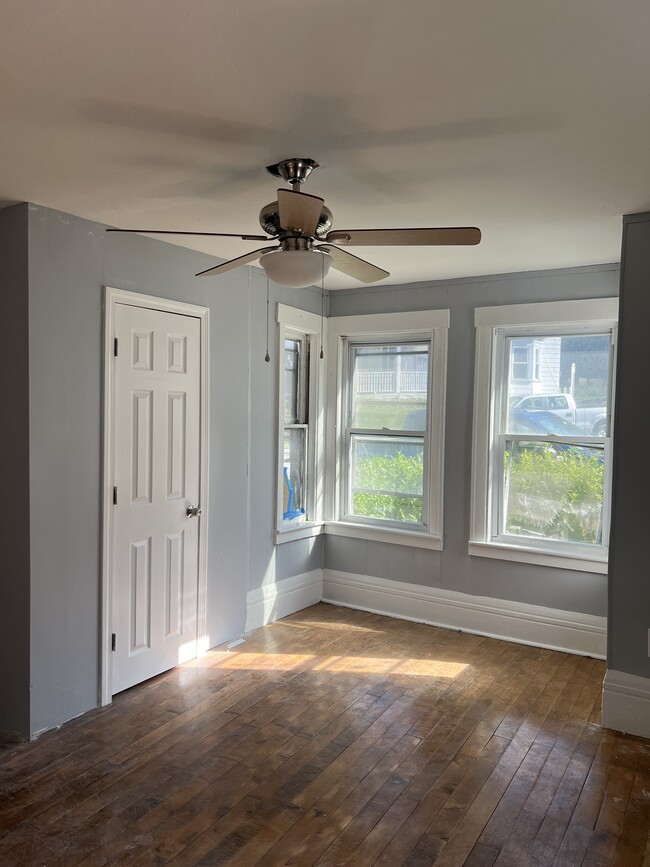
(389, 385)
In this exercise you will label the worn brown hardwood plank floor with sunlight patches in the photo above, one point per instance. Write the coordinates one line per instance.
(339, 737)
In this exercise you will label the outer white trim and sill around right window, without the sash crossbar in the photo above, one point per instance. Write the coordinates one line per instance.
(582, 315)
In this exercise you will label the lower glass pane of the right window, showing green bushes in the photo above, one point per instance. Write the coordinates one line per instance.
(553, 491)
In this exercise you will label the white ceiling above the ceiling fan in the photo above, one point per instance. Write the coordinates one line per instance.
(528, 119)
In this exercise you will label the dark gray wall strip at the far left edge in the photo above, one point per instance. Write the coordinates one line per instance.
(14, 505)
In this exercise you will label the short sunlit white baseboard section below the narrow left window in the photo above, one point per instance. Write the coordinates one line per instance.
(270, 603)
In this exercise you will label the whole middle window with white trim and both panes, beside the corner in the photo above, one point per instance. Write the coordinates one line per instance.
(386, 408)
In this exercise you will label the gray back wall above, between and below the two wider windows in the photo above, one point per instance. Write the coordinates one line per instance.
(453, 568)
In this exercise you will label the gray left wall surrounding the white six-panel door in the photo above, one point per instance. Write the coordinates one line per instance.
(70, 260)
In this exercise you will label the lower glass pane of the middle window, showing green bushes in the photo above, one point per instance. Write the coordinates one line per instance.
(386, 477)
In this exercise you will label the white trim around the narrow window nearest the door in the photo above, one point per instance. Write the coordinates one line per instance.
(293, 321)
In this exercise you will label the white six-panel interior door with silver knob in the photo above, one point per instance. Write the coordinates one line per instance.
(157, 470)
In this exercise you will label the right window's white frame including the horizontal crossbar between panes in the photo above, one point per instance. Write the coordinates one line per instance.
(493, 327)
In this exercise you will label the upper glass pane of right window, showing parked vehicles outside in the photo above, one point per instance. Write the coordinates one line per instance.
(567, 379)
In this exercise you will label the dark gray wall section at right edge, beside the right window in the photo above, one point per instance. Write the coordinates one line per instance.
(629, 587)
